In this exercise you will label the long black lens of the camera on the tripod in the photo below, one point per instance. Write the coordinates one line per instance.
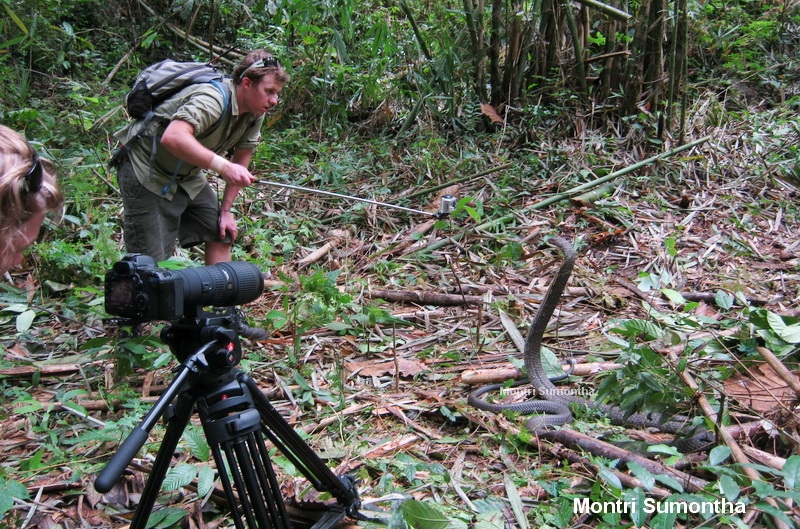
(222, 284)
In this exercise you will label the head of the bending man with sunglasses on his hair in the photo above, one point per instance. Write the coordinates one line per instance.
(259, 79)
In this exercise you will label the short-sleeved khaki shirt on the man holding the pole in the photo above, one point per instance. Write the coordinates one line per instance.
(201, 106)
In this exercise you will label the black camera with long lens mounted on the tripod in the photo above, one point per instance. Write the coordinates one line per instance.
(136, 288)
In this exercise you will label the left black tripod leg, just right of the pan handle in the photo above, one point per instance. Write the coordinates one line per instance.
(175, 426)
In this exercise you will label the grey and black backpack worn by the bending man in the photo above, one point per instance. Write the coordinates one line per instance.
(157, 83)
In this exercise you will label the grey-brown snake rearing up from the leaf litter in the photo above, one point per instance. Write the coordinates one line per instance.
(553, 409)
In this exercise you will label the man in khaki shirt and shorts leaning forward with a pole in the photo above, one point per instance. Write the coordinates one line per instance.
(165, 193)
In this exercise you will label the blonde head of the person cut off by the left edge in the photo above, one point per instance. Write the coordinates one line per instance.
(17, 204)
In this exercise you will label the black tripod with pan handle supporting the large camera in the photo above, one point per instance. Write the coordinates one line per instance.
(236, 418)
